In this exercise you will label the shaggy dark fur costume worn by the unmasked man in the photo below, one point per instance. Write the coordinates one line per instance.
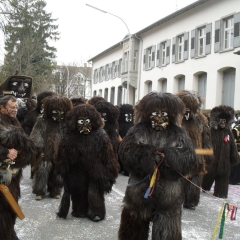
(12, 137)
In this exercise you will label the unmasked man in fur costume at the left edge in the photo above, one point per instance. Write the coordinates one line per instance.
(16, 151)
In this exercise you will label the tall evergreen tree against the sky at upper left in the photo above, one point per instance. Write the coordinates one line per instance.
(27, 36)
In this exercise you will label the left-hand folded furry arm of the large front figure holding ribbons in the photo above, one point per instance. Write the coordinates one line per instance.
(138, 158)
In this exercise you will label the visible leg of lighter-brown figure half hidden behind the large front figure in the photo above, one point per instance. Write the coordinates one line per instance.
(192, 193)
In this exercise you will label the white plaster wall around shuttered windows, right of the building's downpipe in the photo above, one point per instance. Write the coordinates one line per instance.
(208, 12)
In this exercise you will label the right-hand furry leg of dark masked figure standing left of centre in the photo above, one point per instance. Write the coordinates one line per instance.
(96, 203)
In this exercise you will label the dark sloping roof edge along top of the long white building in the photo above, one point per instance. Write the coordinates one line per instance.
(161, 21)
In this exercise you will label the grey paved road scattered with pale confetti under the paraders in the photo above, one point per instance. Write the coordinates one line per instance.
(41, 222)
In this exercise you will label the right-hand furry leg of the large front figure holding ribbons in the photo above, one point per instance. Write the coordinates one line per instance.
(166, 227)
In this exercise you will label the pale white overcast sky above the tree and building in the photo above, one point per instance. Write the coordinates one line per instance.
(85, 32)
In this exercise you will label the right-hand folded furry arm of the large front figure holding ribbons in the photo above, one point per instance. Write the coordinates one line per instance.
(179, 156)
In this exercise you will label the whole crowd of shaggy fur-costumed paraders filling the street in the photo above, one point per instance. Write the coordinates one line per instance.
(76, 148)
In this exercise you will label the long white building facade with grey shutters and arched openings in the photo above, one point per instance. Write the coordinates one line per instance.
(191, 49)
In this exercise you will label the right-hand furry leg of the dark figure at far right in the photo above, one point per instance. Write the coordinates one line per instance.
(221, 186)
